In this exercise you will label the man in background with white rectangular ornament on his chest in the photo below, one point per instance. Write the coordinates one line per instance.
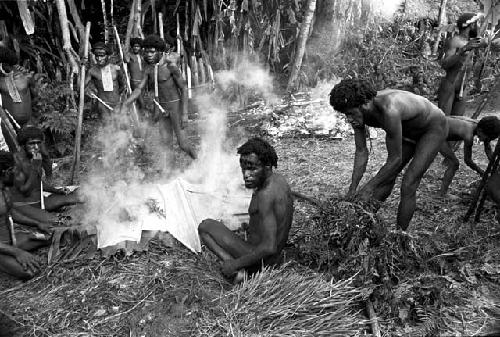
(106, 78)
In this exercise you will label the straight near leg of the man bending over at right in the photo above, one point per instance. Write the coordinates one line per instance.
(425, 152)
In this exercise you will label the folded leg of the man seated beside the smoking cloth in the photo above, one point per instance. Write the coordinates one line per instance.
(222, 241)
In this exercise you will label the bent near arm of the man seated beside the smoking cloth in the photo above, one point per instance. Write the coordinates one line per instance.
(269, 245)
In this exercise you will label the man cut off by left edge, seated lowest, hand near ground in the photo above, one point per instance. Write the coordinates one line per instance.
(16, 260)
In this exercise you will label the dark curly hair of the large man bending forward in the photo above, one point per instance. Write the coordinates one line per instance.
(351, 93)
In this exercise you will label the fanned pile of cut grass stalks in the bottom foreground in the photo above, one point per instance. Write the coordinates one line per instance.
(286, 302)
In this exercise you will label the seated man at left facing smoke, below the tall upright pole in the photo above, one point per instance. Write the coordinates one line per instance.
(27, 178)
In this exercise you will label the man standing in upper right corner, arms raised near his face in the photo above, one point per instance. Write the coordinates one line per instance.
(457, 62)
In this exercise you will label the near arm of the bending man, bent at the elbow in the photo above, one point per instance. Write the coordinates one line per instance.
(394, 145)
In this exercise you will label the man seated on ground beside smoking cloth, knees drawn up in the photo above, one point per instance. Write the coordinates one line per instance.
(270, 210)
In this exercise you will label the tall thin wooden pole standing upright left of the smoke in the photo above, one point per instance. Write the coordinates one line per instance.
(78, 137)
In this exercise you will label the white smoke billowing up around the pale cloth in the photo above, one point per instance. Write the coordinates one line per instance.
(117, 187)
